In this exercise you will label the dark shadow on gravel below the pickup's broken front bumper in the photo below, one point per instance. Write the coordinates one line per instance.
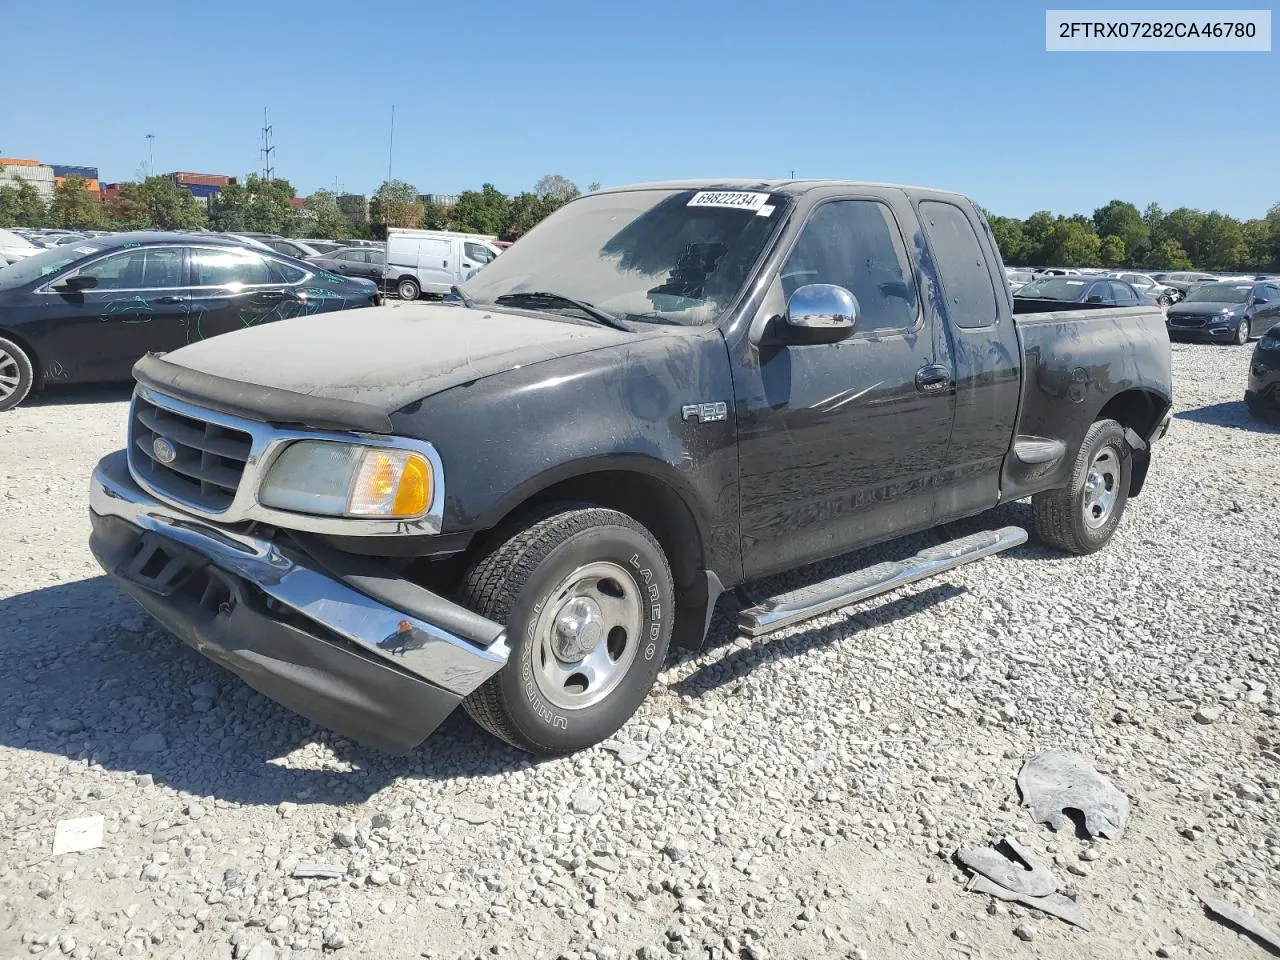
(88, 675)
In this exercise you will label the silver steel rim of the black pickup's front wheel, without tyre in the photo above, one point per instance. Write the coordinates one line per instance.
(587, 636)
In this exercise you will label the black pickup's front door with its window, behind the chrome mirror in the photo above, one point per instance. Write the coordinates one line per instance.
(840, 445)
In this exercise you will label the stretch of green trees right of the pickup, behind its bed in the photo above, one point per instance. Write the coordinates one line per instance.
(1118, 235)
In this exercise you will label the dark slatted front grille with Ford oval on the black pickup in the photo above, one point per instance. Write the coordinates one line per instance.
(209, 464)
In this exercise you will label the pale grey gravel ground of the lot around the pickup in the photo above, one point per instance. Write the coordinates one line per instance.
(793, 798)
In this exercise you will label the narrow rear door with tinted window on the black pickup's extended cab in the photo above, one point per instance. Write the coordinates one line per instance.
(984, 353)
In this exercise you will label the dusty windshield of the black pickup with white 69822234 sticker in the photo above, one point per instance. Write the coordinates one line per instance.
(646, 255)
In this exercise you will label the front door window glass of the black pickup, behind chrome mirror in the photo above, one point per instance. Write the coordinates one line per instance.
(857, 245)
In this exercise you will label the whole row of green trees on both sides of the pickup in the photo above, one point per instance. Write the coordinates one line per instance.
(1117, 235)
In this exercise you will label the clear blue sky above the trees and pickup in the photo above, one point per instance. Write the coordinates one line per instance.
(949, 95)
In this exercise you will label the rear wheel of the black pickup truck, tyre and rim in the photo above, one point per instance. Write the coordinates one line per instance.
(1082, 516)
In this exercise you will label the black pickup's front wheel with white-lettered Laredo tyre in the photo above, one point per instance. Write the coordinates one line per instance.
(589, 604)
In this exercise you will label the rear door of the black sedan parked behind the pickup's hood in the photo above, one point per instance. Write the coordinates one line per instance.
(235, 289)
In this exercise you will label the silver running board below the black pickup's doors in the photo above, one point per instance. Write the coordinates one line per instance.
(787, 610)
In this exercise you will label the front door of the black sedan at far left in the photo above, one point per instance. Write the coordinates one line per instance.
(139, 304)
